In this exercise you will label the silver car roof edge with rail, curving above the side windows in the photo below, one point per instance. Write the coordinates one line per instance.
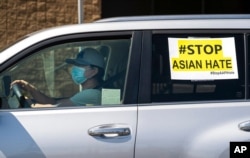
(133, 23)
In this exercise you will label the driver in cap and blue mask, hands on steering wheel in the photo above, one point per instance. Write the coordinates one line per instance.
(87, 71)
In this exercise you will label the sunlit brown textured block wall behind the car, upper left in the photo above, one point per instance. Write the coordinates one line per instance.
(21, 17)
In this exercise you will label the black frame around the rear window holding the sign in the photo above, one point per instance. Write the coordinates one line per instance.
(146, 60)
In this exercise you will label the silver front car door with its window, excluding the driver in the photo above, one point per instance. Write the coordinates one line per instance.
(106, 130)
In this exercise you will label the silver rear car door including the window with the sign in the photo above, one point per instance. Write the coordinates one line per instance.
(190, 109)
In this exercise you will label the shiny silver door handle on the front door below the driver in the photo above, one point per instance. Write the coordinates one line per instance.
(109, 131)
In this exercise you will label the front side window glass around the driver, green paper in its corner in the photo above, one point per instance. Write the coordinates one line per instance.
(47, 70)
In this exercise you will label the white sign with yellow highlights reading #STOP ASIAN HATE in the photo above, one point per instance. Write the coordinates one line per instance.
(202, 58)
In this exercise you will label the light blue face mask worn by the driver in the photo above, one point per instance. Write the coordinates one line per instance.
(78, 74)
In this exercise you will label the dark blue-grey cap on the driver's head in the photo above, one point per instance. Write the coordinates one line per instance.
(88, 56)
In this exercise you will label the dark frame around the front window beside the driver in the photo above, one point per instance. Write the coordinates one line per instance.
(132, 78)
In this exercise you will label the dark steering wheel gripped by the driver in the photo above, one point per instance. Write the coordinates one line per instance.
(20, 96)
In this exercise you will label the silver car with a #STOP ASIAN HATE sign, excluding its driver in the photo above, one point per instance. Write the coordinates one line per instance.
(173, 86)
